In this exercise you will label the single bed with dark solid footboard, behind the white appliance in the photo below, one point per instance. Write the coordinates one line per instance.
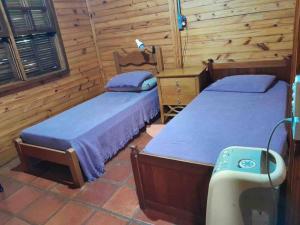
(172, 173)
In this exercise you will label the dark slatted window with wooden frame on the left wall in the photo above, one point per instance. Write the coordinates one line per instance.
(30, 42)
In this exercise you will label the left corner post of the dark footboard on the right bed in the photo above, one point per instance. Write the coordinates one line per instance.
(137, 175)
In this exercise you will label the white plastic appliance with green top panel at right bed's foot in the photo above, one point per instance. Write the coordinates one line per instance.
(239, 190)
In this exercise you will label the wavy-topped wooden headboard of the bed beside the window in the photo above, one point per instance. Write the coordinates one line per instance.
(138, 59)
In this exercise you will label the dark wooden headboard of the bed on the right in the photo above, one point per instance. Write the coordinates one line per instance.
(280, 68)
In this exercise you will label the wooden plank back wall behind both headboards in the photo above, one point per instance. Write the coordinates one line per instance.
(224, 30)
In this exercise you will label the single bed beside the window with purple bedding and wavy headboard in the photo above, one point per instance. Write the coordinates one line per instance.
(89, 134)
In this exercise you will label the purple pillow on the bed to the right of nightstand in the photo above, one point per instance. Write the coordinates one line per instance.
(243, 83)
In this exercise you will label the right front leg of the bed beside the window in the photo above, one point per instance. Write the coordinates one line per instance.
(74, 167)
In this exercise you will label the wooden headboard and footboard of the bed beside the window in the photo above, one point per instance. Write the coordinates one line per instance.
(68, 157)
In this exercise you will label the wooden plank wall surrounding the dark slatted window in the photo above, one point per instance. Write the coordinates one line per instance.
(25, 108)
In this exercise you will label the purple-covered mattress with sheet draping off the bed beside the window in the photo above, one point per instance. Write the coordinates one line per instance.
(97, 128)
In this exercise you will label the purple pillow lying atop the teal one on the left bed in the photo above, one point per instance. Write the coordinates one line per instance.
(130, 81)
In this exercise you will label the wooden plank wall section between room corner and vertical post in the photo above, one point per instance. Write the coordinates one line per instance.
(118, 23)
